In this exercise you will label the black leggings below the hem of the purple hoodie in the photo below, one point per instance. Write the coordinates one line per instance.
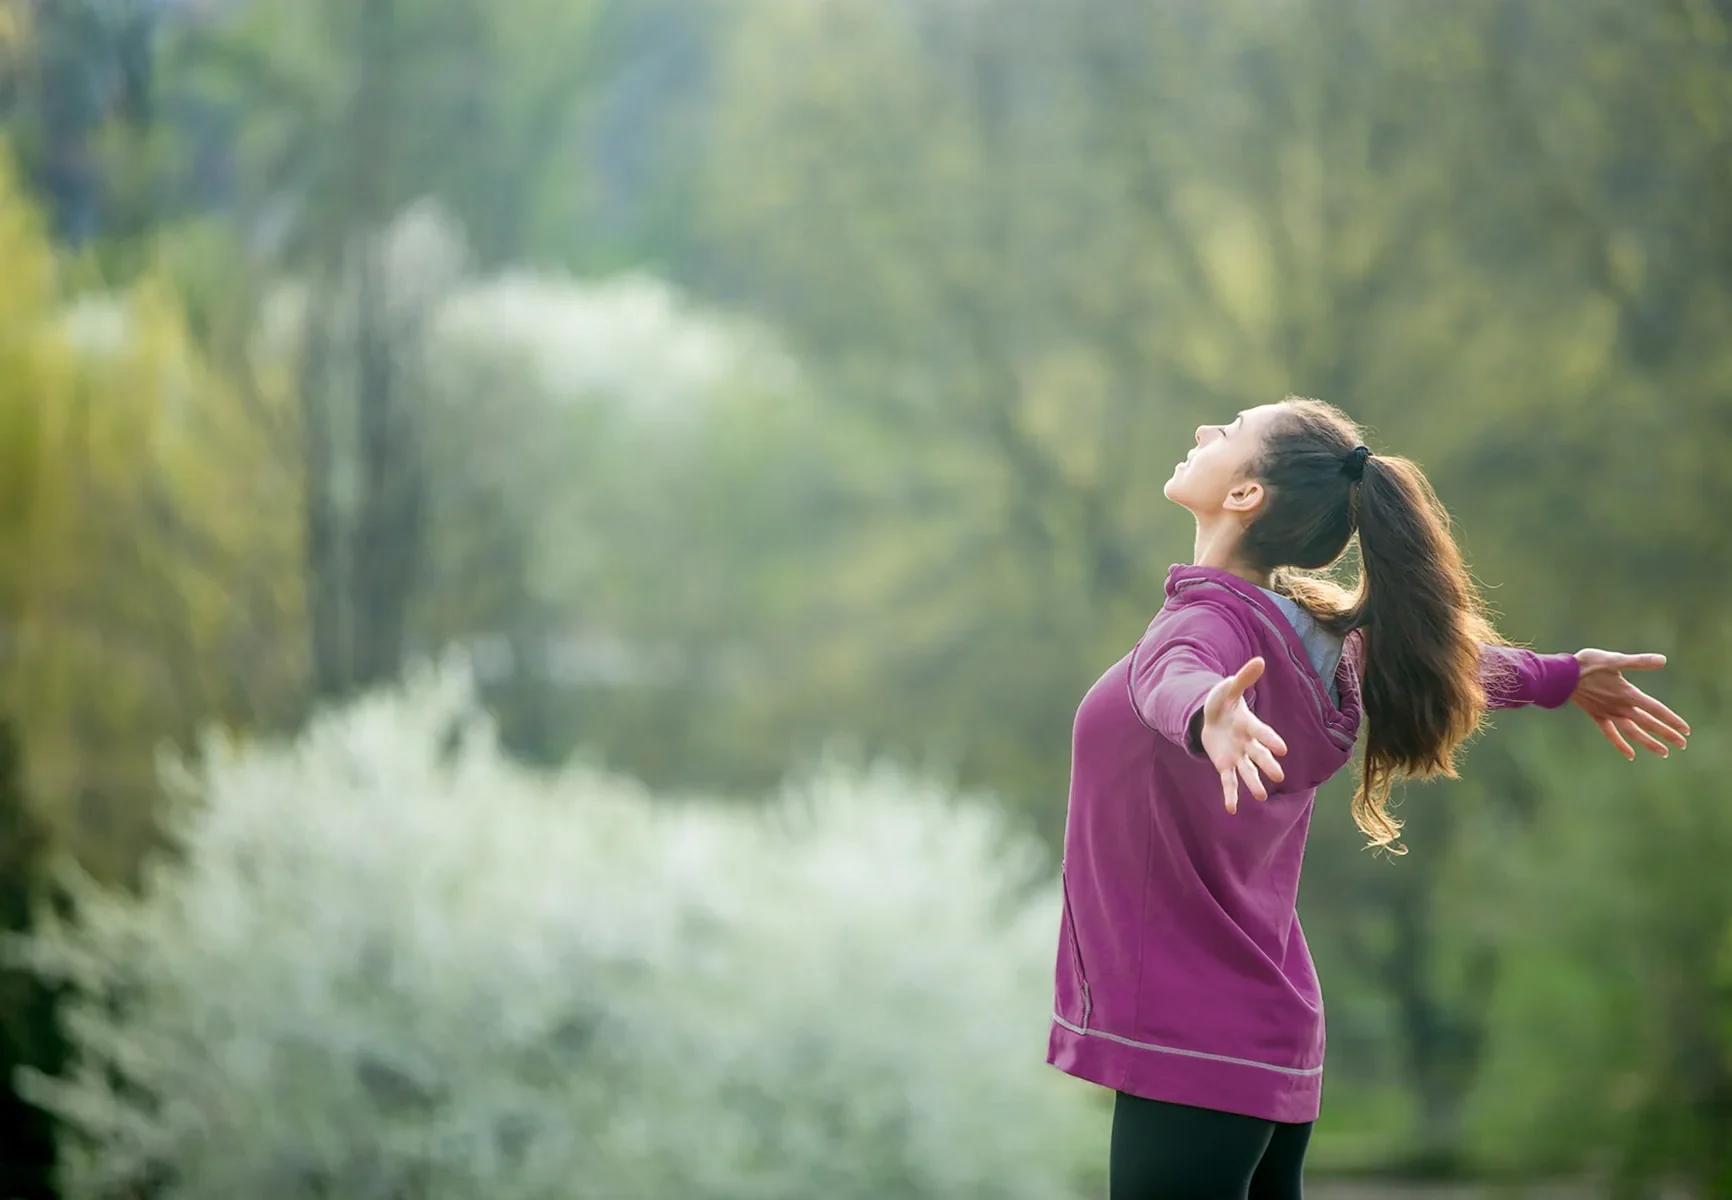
(1177, 1152)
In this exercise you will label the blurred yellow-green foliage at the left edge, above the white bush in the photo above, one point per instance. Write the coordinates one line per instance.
(167, 597)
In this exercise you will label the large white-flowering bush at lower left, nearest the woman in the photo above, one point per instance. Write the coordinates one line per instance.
(385, 962)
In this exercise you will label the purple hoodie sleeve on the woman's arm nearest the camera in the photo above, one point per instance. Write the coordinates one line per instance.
(1180, 659)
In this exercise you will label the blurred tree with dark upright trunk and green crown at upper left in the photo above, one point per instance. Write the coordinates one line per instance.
(352, 112)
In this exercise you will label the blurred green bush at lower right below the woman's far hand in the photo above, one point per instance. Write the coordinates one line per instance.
(1610, 1028)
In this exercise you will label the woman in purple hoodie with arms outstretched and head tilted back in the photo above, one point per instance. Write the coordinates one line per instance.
(1184, 979)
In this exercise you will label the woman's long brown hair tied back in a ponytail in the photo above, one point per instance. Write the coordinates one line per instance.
(1418, 610)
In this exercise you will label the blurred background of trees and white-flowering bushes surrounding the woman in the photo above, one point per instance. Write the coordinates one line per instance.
(768, 404)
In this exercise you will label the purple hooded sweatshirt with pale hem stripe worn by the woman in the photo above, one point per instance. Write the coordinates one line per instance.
(1182, 971)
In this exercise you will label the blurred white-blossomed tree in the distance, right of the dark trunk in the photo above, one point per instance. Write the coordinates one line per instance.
(598, 420)
